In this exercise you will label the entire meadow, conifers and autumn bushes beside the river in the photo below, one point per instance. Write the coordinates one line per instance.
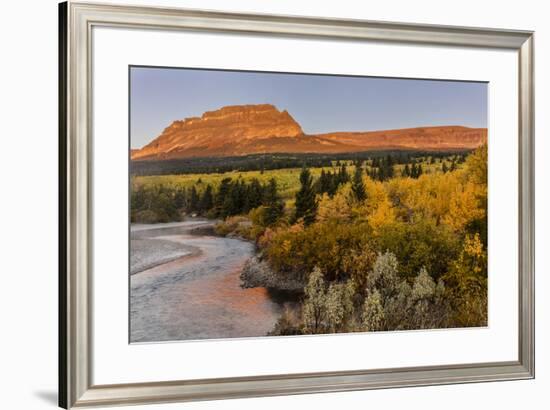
(371, 243)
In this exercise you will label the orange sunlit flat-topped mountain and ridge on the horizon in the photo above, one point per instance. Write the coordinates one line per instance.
(255, 129)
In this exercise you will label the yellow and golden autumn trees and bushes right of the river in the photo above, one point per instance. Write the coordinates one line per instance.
(404, 253)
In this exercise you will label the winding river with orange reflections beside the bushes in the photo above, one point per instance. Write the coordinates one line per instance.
(194, 293)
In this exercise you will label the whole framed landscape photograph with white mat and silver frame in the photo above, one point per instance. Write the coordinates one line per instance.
(256, 205)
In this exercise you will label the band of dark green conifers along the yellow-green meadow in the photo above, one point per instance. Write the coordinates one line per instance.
(159, 203)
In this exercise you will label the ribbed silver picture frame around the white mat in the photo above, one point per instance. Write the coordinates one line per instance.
(75, 358)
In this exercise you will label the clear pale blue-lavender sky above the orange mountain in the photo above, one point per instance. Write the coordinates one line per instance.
(319, 103)
